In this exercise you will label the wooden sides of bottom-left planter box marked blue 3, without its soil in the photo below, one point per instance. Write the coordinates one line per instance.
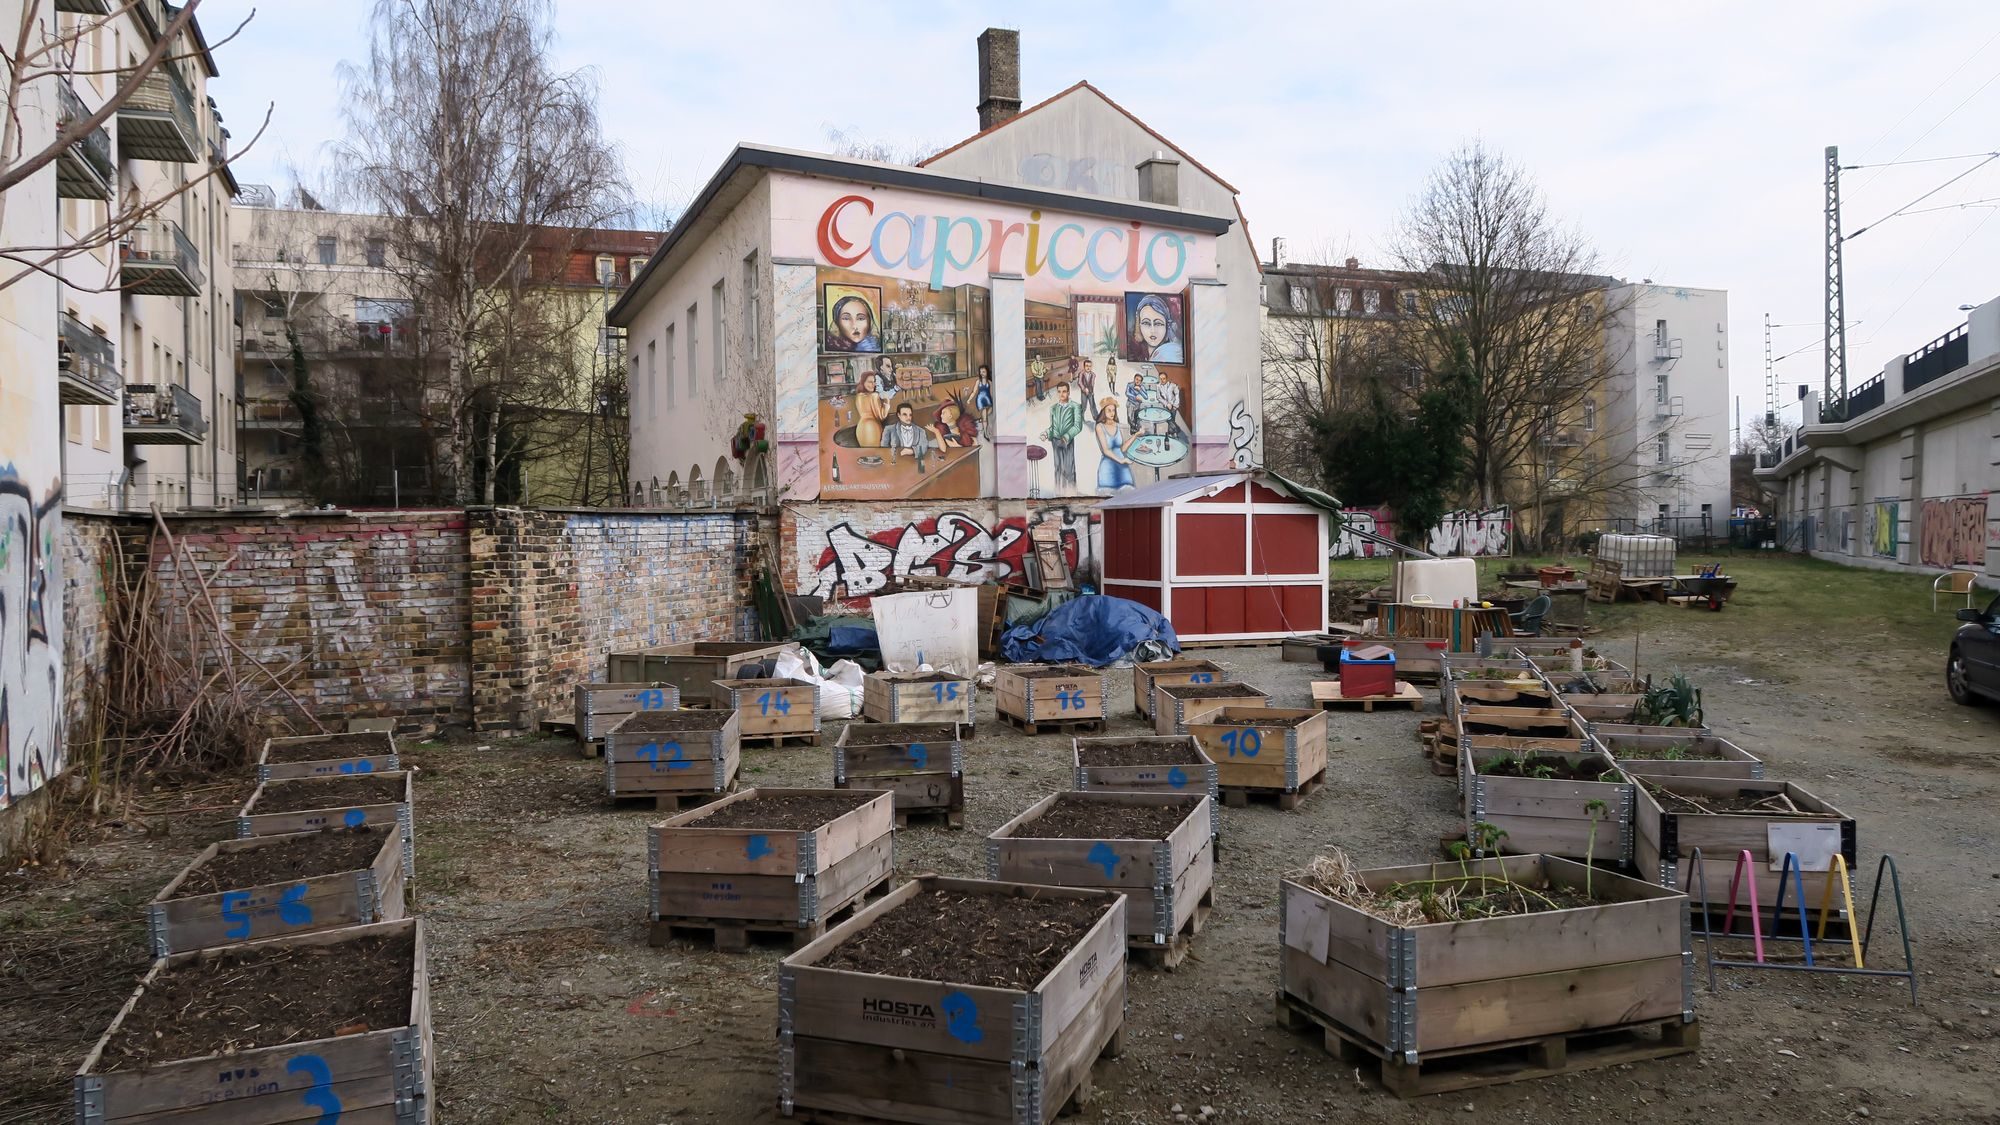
(383, 1074)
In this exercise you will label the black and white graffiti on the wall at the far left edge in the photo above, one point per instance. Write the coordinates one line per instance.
(31, 638)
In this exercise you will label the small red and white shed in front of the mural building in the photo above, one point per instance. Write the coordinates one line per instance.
(1223, 555)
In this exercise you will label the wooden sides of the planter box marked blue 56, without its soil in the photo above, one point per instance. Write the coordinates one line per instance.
(371, 894)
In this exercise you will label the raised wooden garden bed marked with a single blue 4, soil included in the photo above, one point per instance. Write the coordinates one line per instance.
(1153, 848)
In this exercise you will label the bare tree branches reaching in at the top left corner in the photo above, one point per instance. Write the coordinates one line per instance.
(43, 55)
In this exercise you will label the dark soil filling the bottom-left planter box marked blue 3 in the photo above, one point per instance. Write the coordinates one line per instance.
(267, 998)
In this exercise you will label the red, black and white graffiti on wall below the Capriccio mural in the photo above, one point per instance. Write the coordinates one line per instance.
(859, 561)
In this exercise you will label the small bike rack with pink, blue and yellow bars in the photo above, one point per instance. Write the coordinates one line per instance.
(1793, 878)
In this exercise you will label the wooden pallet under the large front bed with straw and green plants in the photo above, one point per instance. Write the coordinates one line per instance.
(1497, 1064)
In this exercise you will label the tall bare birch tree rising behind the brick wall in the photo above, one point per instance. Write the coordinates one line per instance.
(473, 147)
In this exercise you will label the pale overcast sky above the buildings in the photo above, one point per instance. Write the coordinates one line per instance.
(1683, 139)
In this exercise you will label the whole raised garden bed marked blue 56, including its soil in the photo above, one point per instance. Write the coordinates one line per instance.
(275, 886)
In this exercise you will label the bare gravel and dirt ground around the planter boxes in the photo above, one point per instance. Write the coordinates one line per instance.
(553, 1008)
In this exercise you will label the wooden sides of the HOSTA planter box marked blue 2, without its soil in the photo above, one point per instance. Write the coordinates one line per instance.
(947, 1054)
